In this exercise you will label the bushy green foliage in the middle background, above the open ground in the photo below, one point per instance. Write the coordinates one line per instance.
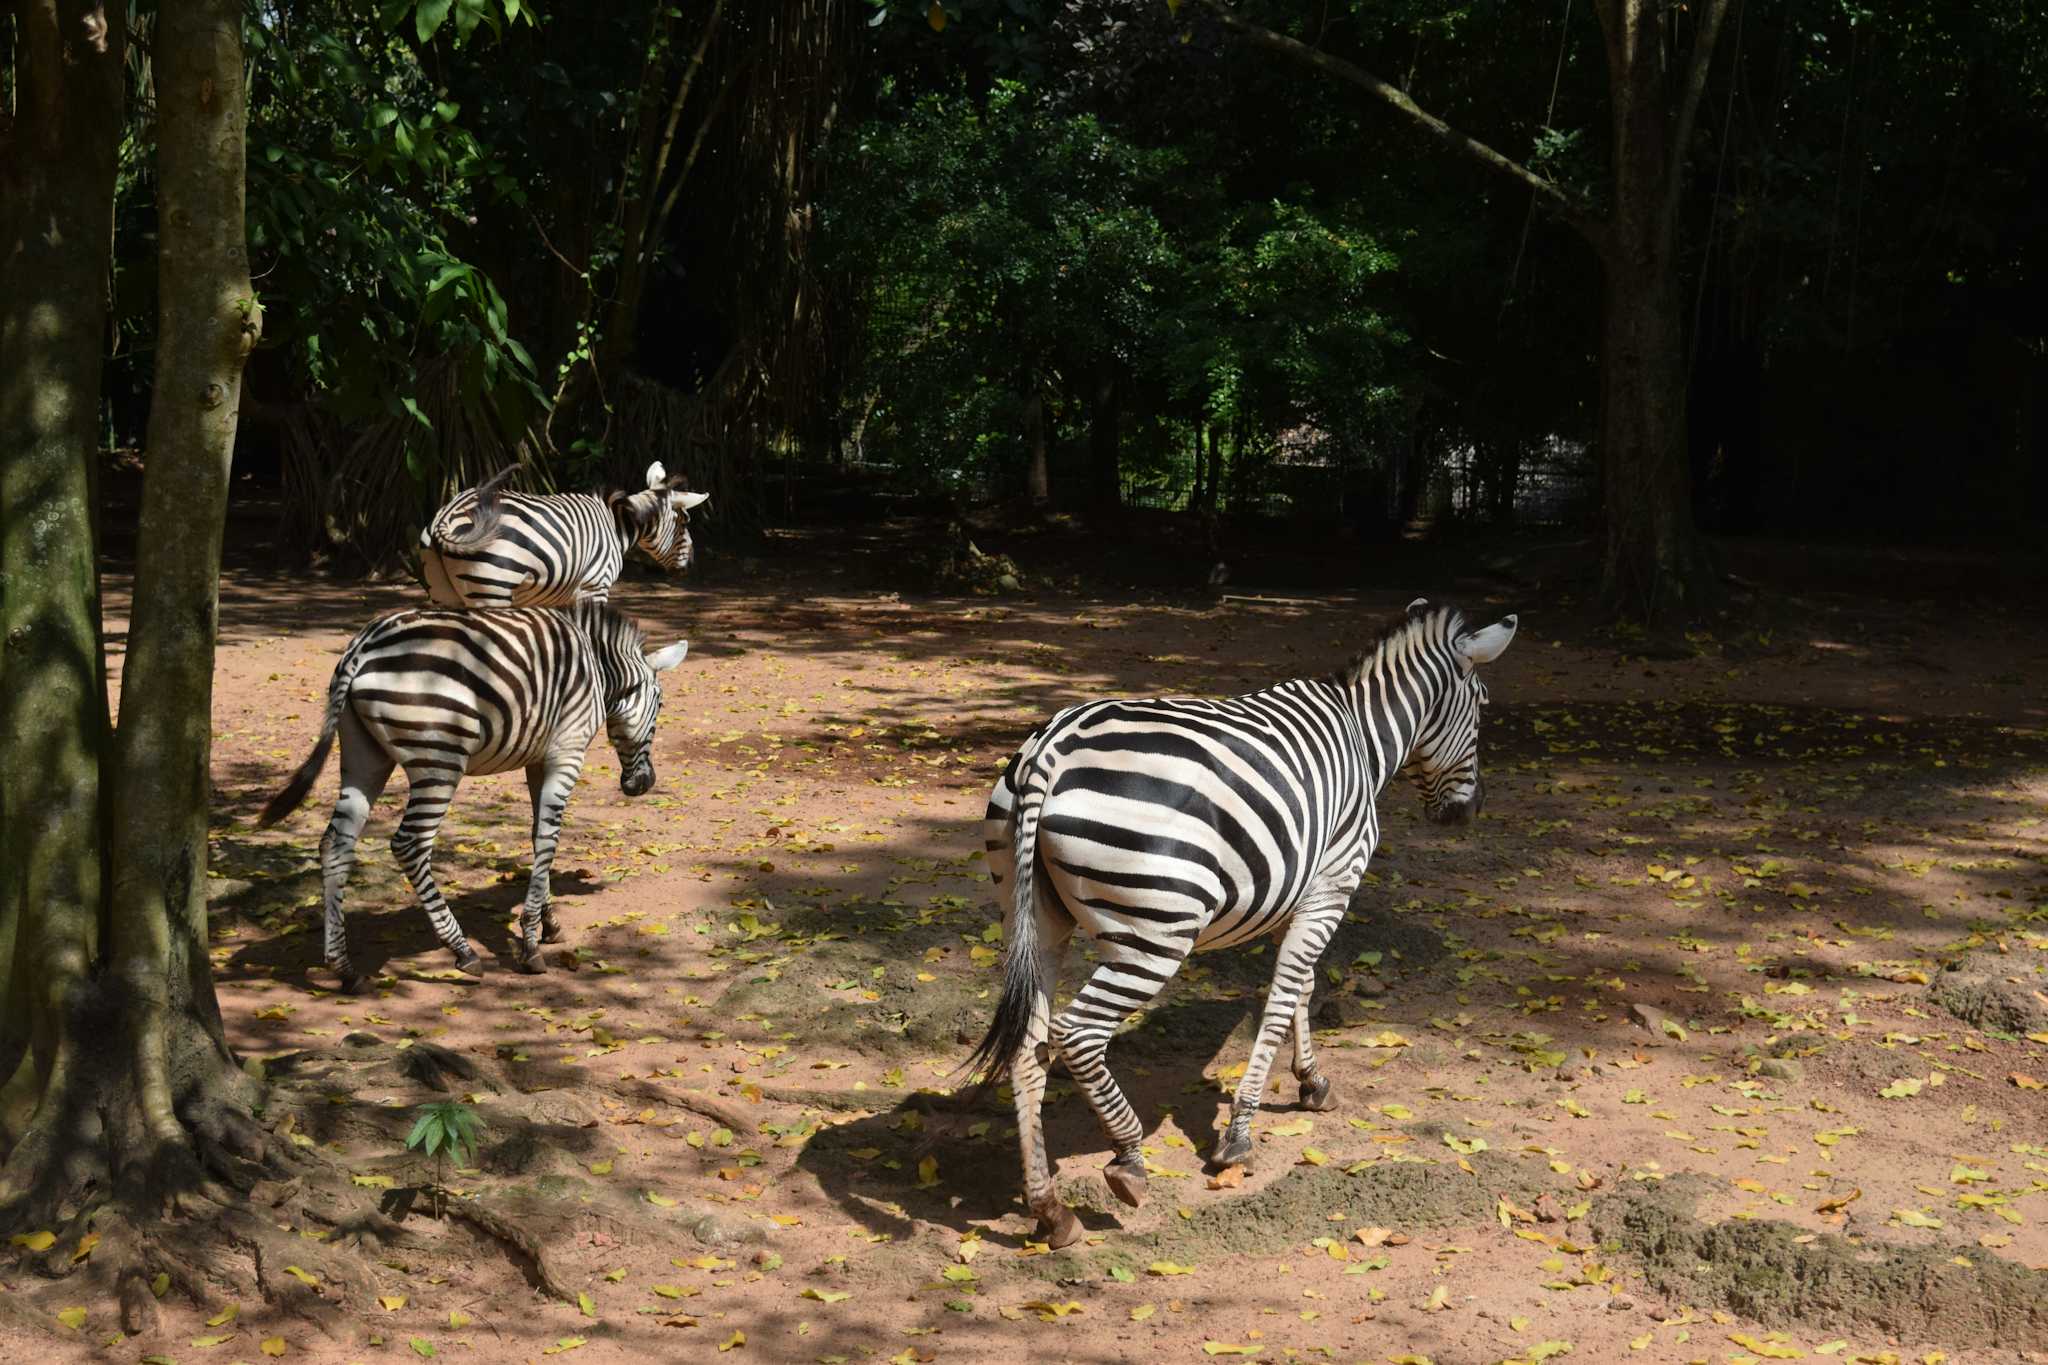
(1015, 249)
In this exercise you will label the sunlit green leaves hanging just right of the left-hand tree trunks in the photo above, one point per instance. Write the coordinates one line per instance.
(364, 175)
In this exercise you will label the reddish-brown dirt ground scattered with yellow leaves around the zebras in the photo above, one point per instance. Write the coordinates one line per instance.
(1721, 1037)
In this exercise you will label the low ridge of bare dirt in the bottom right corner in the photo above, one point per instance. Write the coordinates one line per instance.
(1764, 1272)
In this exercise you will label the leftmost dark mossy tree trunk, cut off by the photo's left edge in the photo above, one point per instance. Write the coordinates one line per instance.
(56, 243)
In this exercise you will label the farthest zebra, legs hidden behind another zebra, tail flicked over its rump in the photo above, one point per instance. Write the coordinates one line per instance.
(517, 549)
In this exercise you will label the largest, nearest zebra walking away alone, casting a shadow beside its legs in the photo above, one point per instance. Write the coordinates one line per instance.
(1175, 826)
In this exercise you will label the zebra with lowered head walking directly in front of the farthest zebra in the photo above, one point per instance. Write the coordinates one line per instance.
(476, 693)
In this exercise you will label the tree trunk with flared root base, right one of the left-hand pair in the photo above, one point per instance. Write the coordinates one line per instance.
(142, 1104)
